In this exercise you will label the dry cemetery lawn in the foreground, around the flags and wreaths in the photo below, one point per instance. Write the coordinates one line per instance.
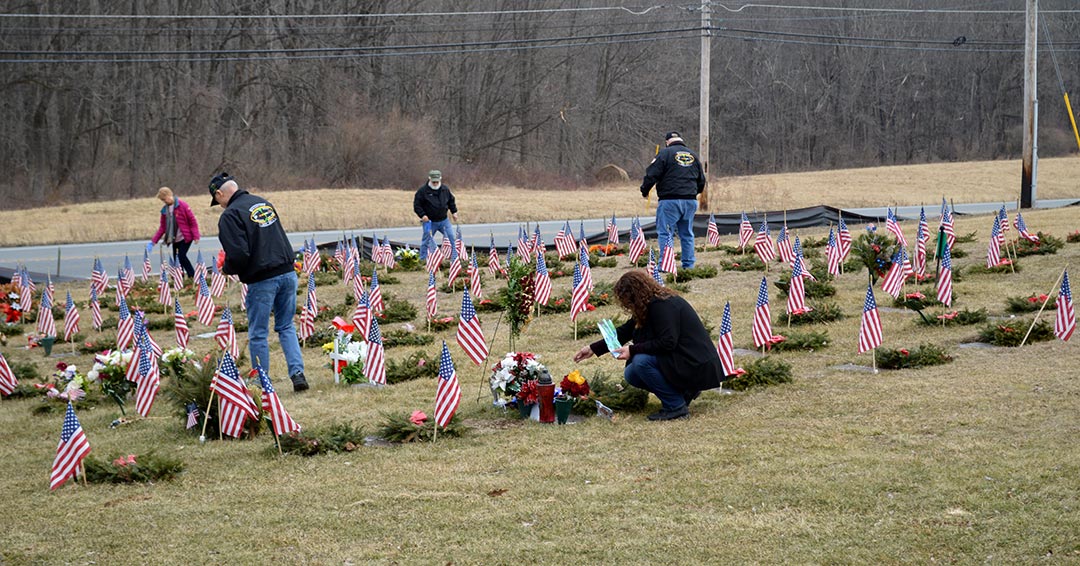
(971, 462)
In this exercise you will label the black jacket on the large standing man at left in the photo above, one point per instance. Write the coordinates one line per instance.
(255, 245)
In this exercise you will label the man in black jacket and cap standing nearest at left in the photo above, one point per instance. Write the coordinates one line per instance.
(259, 252)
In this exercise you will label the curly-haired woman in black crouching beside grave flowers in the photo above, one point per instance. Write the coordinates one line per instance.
(672, 355)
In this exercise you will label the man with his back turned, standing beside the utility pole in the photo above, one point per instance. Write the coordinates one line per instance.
(678, 174)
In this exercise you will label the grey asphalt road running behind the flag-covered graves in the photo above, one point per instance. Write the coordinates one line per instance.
(76, 261)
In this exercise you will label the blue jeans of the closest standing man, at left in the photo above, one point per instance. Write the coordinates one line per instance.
(278, 293)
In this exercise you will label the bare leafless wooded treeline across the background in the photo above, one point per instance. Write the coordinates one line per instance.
(536, 96)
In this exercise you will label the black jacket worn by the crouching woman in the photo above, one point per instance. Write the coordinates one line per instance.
(676, 335)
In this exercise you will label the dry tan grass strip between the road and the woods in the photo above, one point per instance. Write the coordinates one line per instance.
(352, 209)
